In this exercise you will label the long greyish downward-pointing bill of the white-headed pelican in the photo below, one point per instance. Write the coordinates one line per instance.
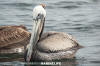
(36, 32)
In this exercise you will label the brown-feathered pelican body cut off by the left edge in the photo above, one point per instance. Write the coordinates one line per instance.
(12, 37)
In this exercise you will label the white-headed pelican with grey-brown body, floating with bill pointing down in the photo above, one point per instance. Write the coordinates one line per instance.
(50, 45)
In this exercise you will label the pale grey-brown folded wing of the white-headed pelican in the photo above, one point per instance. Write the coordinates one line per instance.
(56, 41)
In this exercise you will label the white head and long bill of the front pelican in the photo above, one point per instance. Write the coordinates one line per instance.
(39, 14)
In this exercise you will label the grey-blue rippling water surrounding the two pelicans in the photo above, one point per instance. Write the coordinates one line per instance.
(80, 18)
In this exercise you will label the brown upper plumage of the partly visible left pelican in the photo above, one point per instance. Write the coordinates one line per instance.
(10, 35)
